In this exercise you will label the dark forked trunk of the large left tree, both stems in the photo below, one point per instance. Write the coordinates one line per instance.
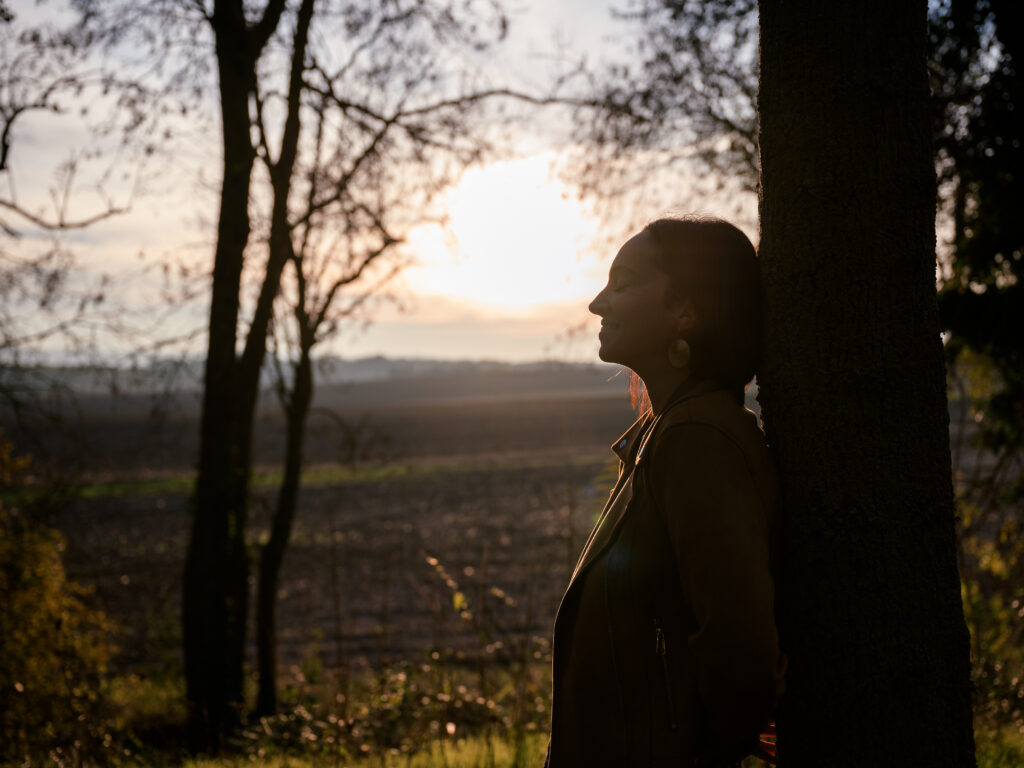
(217, 582)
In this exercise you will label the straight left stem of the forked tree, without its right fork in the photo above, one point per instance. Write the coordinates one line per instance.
(212, 682)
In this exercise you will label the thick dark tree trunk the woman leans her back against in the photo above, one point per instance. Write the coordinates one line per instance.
(854, 392)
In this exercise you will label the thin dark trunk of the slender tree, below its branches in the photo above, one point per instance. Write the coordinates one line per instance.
(274, 551)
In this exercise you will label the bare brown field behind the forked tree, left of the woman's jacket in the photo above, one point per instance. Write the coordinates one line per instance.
(496, 505)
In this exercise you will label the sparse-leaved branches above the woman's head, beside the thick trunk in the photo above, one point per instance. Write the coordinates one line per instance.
(677, 119)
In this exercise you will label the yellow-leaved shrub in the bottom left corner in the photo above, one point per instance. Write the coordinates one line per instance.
(54, 649)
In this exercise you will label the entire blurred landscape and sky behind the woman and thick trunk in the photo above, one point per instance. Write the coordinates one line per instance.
(294, 343)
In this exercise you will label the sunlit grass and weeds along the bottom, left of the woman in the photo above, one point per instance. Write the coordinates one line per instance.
(406, 715)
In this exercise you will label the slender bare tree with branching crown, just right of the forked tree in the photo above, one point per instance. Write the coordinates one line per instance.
(336, 243)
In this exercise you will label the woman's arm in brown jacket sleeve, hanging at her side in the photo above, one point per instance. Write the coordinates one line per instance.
(720, 533)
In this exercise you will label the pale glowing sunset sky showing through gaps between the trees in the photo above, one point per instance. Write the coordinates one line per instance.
(515, 272)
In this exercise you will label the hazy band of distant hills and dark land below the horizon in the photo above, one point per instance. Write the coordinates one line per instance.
(124, 422)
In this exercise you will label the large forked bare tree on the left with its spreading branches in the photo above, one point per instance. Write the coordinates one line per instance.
(334, 118)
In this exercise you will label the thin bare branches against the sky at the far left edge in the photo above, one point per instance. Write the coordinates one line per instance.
(48, 300)
